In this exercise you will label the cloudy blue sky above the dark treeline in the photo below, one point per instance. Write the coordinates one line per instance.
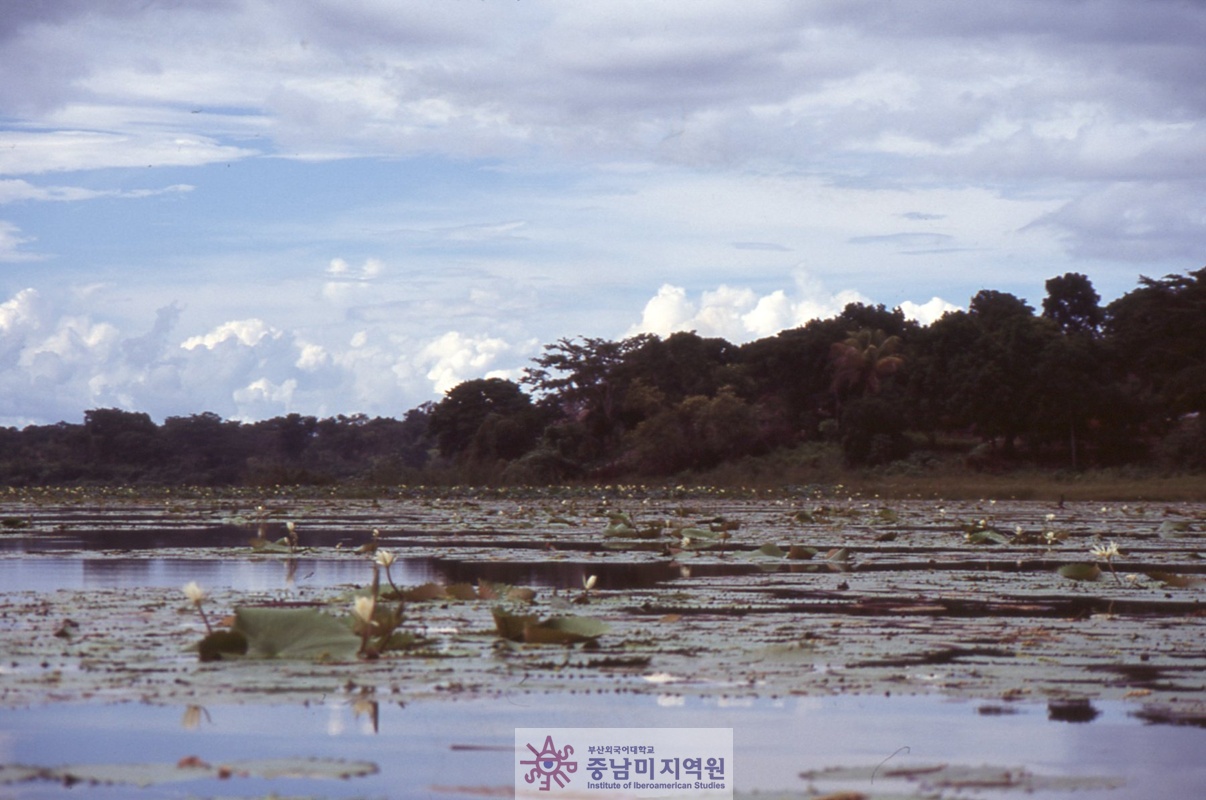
(349, 207)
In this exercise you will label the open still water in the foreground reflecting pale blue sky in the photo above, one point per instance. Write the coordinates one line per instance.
(465, 749)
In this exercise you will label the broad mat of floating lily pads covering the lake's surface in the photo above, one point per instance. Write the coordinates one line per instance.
(804, 595)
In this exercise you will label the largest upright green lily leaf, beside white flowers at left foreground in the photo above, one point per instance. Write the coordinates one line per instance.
(296, 634)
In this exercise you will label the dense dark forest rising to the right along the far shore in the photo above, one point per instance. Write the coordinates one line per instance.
(1074, 386)
